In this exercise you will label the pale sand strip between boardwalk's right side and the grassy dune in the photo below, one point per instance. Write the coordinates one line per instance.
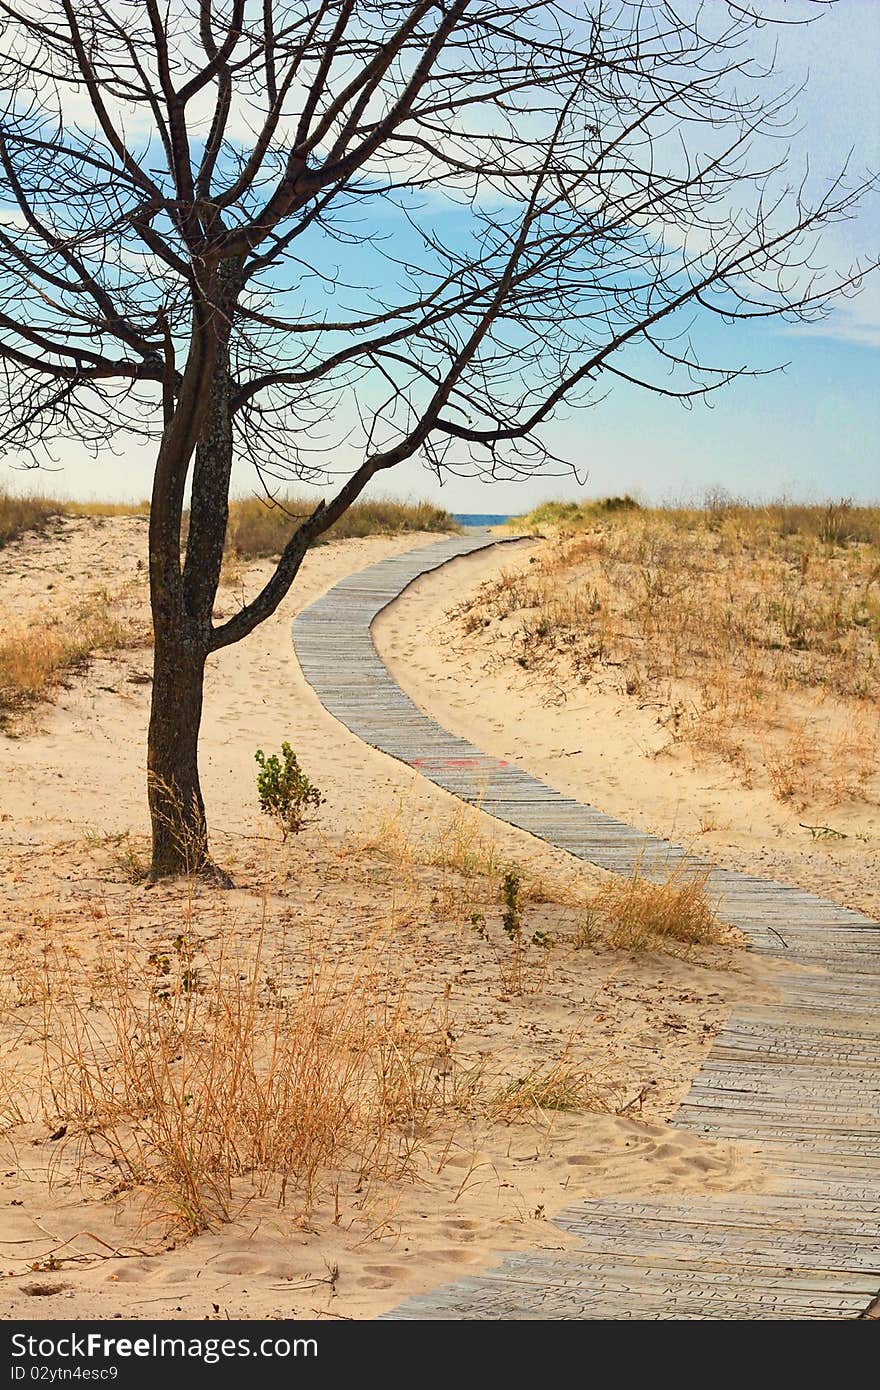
(612, 751)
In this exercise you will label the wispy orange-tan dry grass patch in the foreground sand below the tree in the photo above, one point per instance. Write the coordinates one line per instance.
(204, 1079)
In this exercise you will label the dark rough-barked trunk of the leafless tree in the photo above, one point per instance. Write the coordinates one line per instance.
(183, 600)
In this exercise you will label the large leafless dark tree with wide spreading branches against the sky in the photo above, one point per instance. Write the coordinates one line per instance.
(332, 236)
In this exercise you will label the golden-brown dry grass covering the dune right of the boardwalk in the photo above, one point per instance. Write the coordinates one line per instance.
(753, 630)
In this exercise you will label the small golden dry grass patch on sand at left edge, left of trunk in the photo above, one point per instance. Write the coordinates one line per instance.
(40, 657)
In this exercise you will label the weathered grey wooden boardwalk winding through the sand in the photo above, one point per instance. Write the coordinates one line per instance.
(796, 1081)
